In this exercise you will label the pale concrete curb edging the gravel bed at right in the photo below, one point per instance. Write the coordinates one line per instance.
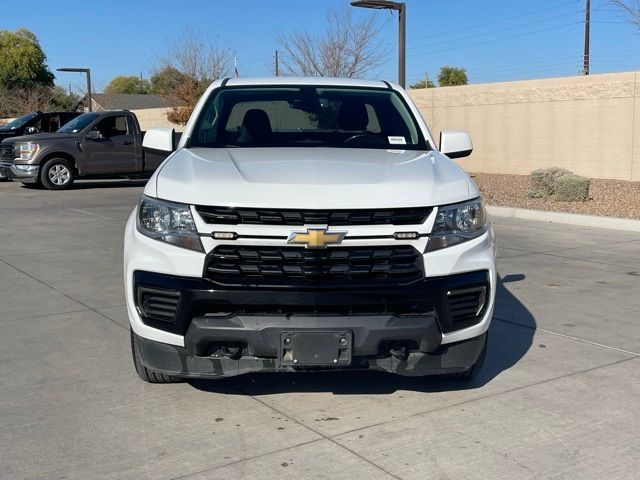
(596, 221)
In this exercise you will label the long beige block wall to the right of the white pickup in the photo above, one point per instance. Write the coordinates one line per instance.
(590, 125)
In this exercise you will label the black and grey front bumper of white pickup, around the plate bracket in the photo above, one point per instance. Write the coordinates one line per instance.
(251, 323)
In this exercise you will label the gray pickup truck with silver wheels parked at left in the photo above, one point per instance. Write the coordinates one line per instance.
(92, 145)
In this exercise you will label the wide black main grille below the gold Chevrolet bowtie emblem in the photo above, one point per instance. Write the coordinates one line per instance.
(298, 267)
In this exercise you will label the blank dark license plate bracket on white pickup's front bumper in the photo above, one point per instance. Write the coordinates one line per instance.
(317, 348)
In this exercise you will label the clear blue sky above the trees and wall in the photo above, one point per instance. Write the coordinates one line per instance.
(495, 40)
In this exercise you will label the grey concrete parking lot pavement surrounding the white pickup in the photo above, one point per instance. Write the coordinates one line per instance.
(558, 397)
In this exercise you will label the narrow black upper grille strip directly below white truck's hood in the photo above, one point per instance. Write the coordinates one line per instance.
(236, 216)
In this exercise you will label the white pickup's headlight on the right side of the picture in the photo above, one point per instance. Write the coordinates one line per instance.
(458, 223)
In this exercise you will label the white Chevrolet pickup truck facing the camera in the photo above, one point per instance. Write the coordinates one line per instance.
(305, 224)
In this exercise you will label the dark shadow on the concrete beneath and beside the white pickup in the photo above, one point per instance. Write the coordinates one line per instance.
(509, 340)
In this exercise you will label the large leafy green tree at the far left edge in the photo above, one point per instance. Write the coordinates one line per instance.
(22, 60)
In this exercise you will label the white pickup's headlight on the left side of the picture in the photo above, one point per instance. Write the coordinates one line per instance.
(168, 222)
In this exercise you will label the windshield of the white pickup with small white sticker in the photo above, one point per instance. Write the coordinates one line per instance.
(307, 117)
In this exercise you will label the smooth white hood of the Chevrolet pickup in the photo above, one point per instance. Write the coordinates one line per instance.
(313, 178)
